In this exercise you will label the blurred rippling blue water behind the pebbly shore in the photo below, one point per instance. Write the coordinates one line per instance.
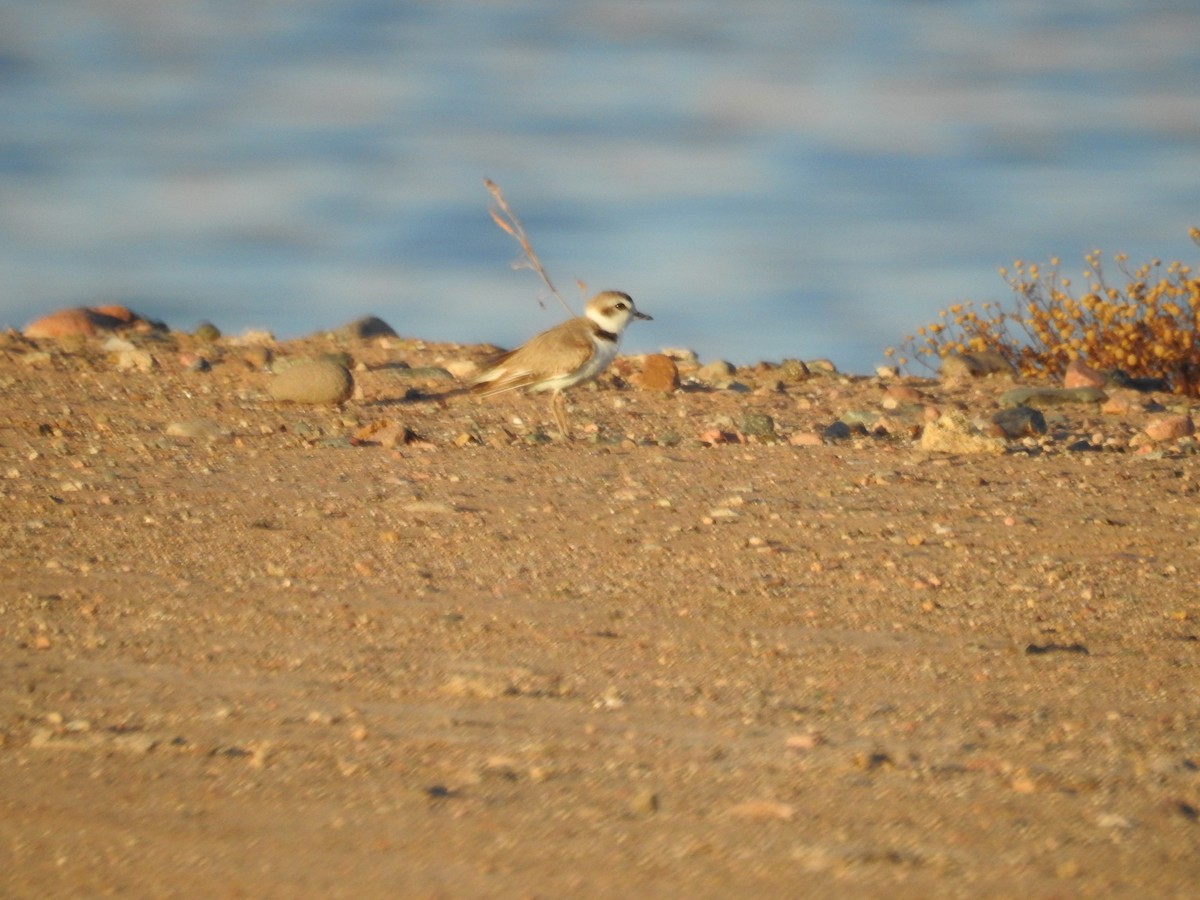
(767, 178)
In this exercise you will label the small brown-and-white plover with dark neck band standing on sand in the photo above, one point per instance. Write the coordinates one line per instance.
(565, 356)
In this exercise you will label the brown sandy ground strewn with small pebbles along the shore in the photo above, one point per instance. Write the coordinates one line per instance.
(411, 649)
